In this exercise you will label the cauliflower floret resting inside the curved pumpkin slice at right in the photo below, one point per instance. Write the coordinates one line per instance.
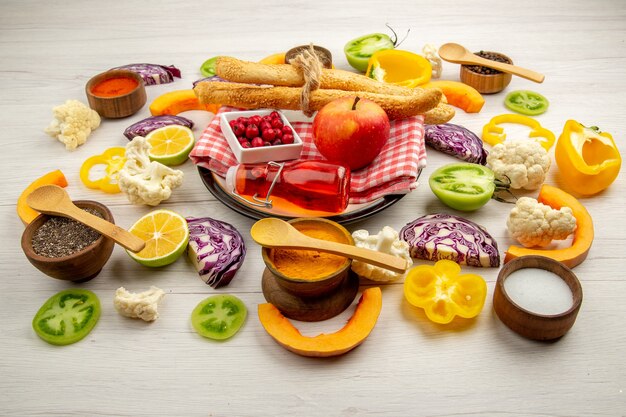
(533, 223)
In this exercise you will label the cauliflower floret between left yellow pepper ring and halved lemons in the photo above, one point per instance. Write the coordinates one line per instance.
(144, 181)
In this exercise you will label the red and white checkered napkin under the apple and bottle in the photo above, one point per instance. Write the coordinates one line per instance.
(394, 171)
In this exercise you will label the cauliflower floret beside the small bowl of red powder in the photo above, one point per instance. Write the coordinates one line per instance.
(73, 123)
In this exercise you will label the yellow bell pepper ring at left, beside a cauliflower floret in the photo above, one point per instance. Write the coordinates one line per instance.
(113, 160)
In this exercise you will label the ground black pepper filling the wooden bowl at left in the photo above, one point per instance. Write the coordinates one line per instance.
(60, 236)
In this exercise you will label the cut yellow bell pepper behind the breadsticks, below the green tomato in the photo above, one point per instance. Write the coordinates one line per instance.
(398, 67)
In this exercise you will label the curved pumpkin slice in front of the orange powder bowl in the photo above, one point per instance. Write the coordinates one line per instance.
(324, 345)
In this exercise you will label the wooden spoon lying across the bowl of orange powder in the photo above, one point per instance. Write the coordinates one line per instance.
(276, 233)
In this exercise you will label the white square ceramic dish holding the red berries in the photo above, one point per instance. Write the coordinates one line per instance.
(262, 153)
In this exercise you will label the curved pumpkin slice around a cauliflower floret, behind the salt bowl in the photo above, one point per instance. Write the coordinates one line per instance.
(583, 236)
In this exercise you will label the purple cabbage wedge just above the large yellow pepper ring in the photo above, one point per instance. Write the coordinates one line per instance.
(446, 236)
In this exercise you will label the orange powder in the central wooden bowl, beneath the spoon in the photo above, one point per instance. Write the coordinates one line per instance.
(309, 264)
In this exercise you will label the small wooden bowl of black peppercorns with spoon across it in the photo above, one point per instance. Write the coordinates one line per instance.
(484, 79)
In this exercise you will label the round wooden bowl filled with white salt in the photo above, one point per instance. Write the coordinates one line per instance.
(523, 319)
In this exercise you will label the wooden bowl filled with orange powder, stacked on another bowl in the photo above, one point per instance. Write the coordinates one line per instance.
(309, 273)
